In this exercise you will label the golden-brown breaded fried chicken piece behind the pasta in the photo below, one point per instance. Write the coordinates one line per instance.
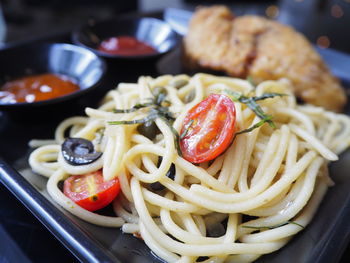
(262, 49)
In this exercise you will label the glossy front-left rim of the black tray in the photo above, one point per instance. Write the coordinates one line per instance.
(83, 246)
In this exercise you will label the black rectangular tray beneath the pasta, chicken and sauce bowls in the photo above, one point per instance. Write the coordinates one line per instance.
(322, 241)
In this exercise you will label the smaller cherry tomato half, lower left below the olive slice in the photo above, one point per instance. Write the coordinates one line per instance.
(90, 191)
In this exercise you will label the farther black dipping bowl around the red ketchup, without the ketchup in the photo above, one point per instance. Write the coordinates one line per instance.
(151, 31)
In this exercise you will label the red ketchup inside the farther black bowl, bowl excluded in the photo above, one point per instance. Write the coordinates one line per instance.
(125, 46)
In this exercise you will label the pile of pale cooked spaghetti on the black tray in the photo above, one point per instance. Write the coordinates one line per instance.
(247, 202)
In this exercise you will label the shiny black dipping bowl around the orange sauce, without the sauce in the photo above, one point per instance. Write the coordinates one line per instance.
(77, 63)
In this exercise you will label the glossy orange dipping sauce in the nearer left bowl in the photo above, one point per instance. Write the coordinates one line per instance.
(36, 88)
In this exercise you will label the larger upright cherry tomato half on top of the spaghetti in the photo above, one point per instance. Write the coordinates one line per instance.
(208, 129)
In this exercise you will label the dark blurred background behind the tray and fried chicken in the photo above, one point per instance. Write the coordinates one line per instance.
(324, 22)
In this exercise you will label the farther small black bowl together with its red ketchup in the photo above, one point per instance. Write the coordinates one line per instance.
(127, 38)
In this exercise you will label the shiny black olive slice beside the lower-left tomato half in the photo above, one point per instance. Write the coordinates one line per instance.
(79, 151)
